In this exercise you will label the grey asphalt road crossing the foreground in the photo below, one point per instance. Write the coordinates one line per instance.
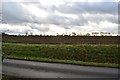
(30, 69)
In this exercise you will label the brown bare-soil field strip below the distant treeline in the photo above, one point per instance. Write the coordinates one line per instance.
(62, 39)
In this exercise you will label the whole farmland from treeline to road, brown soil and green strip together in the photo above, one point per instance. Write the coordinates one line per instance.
(82, 50)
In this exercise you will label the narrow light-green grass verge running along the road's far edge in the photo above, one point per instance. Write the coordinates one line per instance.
(66, 61)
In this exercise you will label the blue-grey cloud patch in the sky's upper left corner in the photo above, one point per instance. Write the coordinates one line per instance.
(13, 13)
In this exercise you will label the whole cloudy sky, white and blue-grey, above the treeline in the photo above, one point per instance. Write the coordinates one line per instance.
(58, 16)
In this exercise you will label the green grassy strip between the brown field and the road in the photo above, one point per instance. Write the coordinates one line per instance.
(82, 54)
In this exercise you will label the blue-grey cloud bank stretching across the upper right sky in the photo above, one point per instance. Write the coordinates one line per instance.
(83, 7)
